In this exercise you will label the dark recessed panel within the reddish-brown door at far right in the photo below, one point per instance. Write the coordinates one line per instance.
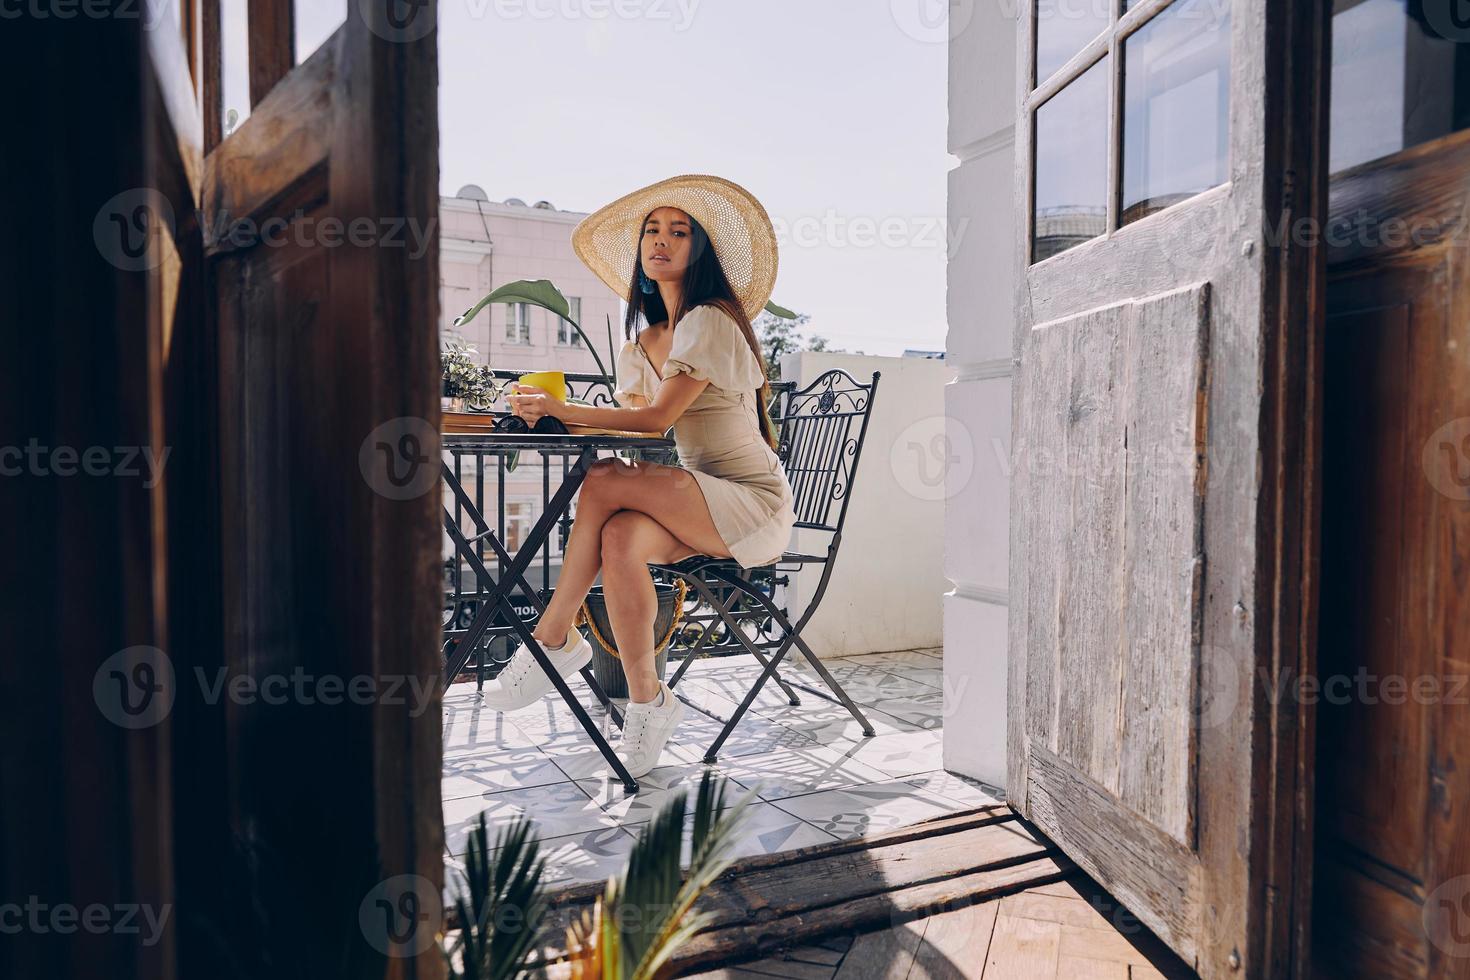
(1368, 447)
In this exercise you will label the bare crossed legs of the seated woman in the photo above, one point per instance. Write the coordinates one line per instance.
(630, 515)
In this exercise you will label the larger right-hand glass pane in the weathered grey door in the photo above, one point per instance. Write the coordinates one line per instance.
(1177, 107)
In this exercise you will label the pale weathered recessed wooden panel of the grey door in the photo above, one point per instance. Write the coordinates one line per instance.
(1116, 616)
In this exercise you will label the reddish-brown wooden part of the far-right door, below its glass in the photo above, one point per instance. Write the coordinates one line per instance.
(1393, 840)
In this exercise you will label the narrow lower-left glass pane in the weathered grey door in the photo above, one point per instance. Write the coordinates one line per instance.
(1072, 165)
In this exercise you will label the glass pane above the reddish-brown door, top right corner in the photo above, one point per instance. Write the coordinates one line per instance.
(1397, 80)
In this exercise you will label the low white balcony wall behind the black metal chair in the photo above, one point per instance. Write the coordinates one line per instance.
(889, 581)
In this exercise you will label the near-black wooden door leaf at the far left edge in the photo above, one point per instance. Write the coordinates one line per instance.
(95, 296)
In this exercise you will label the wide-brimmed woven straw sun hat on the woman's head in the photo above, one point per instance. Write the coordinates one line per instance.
(737, 224)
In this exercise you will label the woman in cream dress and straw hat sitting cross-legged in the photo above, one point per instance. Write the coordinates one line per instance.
(696, 259)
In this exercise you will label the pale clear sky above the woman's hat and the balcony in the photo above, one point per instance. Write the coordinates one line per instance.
(833, 112)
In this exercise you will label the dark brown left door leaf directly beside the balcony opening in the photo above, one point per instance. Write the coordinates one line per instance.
(320, 215)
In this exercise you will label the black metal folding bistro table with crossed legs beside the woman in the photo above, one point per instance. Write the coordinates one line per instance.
(496, 594)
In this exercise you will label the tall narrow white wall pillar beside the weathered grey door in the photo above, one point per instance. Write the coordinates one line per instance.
(983, 270)
